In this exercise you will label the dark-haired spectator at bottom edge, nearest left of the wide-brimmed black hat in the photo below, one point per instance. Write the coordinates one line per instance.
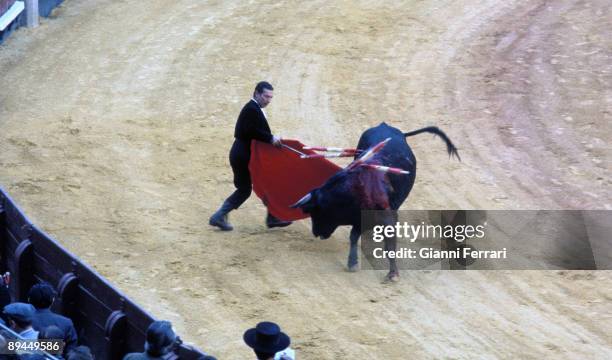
(159, 344)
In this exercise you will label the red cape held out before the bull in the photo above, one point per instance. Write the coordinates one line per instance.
(281, 178)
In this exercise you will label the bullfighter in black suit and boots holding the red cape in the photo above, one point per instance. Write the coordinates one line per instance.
(251, 125)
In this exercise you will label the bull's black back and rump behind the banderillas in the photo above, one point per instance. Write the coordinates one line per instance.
(396, 153)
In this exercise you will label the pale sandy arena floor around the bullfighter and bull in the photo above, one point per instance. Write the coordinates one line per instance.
(116, 119)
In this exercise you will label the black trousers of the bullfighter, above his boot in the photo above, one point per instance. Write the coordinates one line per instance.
(240, 155)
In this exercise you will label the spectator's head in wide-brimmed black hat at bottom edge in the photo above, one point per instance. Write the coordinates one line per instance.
(266, 339)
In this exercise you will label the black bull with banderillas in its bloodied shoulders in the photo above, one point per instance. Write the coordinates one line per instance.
(341, 198)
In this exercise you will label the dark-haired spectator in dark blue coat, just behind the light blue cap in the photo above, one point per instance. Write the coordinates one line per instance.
(42, 296)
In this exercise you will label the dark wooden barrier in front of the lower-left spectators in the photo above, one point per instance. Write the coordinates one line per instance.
(106, 320)
